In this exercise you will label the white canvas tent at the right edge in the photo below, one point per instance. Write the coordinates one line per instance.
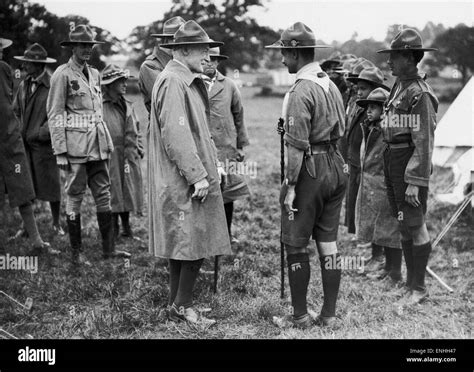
(453, 143)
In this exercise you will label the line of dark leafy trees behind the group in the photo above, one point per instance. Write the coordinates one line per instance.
(229, 21)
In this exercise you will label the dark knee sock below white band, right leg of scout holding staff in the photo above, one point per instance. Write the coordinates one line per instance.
(331, 278)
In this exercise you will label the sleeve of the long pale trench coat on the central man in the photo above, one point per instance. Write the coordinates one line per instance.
(176, 131)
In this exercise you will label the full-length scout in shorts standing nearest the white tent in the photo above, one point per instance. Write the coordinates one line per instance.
(408, 129)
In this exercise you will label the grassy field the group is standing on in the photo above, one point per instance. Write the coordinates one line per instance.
(113, 300)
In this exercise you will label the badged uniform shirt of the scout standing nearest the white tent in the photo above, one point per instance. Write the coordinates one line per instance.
(410, 116)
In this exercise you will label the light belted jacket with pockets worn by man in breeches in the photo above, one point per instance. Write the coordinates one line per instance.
(75, 120)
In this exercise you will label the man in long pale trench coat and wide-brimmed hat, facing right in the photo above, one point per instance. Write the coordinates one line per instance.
(185, 206)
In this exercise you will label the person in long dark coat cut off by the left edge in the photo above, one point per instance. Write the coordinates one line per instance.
(15, 177)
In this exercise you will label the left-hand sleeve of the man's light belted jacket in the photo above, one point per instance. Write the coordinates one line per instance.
(56, 109)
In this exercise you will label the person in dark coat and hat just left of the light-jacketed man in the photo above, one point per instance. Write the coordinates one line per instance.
(30, 108)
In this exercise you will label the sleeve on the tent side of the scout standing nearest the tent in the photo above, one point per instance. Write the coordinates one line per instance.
(419, 166)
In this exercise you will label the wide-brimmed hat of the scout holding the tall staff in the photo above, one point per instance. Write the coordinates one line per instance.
(297, 36)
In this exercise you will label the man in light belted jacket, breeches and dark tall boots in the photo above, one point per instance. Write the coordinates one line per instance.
(81, 140)
